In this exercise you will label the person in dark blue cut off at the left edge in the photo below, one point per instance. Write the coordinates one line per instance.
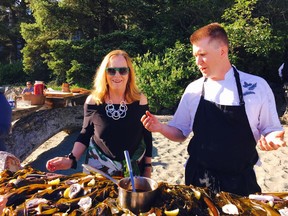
(5, 118)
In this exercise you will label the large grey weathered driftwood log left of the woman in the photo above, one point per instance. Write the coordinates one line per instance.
(29, 132)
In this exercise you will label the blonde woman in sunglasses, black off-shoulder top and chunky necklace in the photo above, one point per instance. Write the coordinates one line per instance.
(111, 124)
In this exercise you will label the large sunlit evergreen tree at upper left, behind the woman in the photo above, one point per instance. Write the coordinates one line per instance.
(62, 37)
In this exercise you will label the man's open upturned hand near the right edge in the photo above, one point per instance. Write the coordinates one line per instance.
(271, 141)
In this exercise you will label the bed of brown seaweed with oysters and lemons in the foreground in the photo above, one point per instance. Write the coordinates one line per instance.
(31, 192)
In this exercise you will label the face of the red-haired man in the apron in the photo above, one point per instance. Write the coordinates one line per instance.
(208, 55)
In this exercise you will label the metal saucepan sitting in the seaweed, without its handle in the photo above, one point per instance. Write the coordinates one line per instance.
(140, 201)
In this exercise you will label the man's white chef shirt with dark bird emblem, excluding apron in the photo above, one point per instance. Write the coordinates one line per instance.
(258, 97)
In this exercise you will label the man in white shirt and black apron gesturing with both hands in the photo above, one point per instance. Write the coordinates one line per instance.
(228, 111)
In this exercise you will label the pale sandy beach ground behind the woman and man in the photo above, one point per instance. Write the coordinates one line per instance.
(169, 159)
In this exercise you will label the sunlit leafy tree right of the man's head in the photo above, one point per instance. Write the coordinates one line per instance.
(252, 42)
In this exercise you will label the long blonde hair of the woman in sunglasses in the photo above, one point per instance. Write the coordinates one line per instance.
(100, 88)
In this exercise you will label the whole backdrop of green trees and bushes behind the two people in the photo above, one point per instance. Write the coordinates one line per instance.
(65, 41)
